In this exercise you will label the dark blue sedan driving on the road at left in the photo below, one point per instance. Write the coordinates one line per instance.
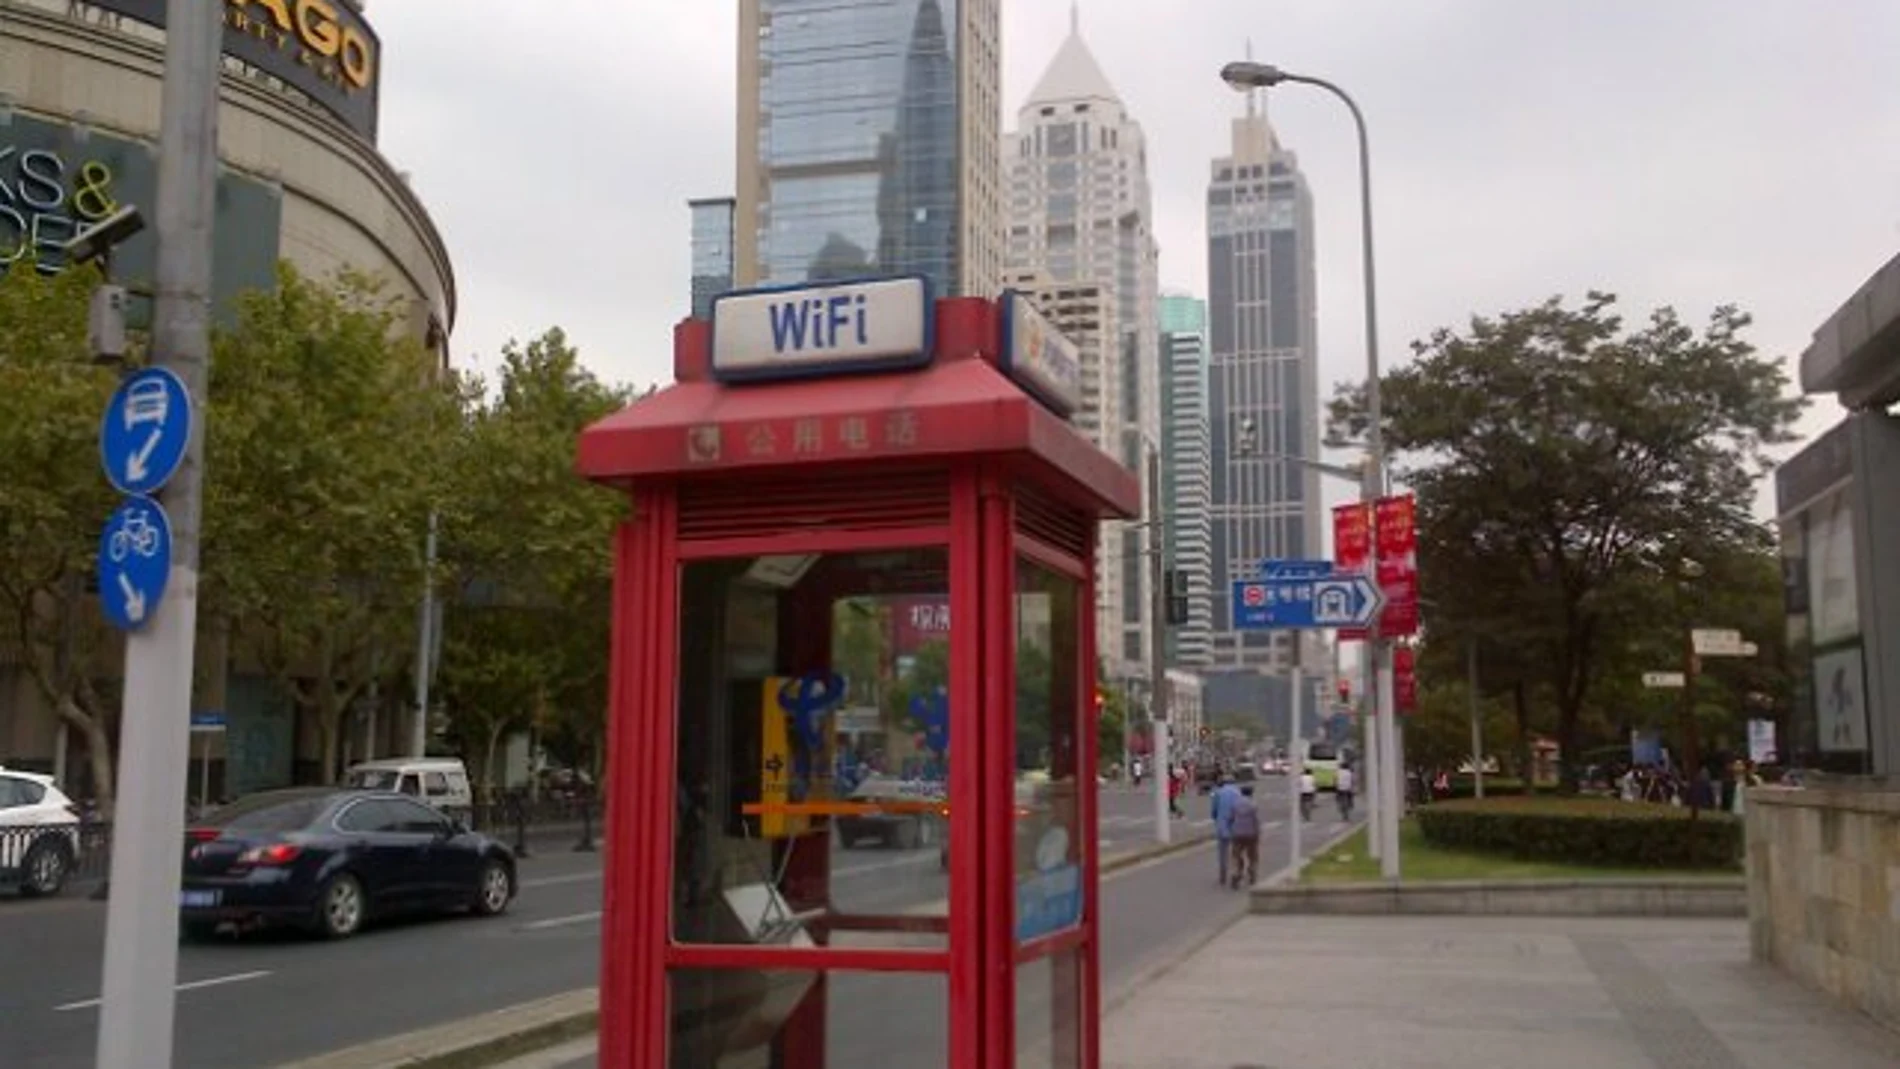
(328, 861)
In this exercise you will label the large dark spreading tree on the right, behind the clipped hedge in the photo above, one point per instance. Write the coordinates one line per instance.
(1568, 460)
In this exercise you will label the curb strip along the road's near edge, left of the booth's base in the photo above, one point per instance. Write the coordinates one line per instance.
(474, 1041)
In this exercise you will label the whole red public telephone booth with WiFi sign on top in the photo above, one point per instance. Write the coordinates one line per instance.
(852, 814)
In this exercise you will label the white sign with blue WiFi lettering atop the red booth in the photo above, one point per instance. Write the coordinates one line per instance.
(824, 329)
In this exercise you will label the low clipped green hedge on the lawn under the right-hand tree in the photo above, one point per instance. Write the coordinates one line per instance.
(1586, 831)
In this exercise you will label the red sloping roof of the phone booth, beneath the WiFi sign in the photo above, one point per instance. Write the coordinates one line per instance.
(957, 407)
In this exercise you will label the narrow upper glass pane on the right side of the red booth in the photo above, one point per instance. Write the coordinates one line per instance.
(1050, 783)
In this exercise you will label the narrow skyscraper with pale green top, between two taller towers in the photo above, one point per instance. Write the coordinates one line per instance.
(1187, 474)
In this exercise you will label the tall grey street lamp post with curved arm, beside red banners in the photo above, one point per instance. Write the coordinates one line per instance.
(1245, 77)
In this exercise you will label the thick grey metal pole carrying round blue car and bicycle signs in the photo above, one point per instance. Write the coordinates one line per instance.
(142, 960)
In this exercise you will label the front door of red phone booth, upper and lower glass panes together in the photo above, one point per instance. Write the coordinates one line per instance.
(812, 819)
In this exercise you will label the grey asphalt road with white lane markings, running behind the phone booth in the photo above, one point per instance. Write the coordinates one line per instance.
(267, 1000)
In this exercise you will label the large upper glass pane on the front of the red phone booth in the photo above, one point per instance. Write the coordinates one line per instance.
(814, 726)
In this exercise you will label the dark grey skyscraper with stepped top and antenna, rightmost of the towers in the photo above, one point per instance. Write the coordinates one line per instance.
(1263, 377)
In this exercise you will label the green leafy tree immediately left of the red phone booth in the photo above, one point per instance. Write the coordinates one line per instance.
(529, 559)
